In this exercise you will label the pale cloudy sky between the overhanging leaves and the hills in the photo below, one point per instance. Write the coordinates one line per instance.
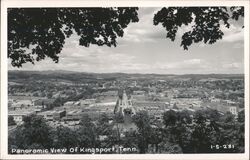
(144, 48)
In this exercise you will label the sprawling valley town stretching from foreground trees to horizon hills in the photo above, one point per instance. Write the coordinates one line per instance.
(63, 98)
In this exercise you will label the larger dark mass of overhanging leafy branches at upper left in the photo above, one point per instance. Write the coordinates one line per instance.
(36, 33)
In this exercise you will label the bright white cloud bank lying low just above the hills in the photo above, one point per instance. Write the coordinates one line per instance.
(109, 63)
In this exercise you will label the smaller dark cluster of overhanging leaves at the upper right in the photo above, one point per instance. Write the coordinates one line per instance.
(207, 22)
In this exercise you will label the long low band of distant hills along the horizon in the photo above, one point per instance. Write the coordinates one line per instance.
(16, 76)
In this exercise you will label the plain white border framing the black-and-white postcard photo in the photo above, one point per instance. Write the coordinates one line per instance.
(95, 3)
